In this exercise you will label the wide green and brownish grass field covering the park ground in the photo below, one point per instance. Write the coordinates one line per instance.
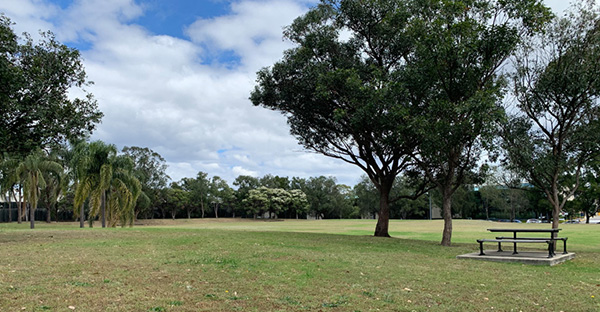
(292, 265)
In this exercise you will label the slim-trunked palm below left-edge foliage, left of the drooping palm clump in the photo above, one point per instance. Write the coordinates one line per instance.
(30, 171)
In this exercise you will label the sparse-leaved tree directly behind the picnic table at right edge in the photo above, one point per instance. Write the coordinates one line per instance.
(555, 129)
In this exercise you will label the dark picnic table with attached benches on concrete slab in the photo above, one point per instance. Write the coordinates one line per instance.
(551, 241)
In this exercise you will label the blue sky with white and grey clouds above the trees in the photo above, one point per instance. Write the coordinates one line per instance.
(175, 76)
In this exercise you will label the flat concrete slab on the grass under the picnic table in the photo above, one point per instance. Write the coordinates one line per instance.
(527, 257)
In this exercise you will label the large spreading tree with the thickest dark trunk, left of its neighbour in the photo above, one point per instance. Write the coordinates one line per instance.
(343, 90)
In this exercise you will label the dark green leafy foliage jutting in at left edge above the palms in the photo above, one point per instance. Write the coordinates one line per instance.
(35, 107)
